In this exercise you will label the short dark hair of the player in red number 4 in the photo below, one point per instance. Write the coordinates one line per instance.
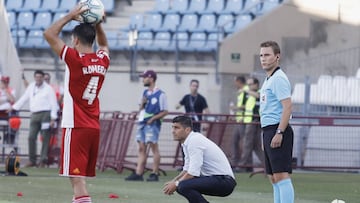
(85, 32)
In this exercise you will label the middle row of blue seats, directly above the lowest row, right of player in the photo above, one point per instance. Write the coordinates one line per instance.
(188, 22)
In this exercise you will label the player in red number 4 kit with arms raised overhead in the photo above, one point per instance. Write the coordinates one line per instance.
(84, 76)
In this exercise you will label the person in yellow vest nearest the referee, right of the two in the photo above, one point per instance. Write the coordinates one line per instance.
(252, 137)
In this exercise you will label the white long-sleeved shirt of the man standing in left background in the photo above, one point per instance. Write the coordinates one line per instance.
(41, 98)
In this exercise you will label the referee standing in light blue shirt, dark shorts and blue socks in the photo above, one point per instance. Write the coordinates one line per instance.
(275, 111)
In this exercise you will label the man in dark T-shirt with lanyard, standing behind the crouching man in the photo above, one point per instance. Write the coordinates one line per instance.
(195, 105)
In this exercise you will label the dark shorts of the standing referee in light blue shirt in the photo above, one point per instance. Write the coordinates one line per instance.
(279, 159)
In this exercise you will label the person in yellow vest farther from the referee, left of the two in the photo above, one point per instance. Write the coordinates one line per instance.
(239, 129)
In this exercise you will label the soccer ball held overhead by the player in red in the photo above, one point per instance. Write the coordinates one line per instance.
(95, 12)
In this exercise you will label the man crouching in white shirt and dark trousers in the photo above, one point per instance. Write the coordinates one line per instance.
(206, 169)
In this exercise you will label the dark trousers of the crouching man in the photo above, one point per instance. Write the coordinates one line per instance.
(193, 189)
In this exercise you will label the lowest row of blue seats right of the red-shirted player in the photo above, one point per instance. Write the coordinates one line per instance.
(165, 41)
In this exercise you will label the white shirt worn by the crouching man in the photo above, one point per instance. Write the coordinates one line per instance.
(204, 158)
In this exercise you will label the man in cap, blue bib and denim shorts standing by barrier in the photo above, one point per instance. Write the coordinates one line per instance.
(153, 108)
